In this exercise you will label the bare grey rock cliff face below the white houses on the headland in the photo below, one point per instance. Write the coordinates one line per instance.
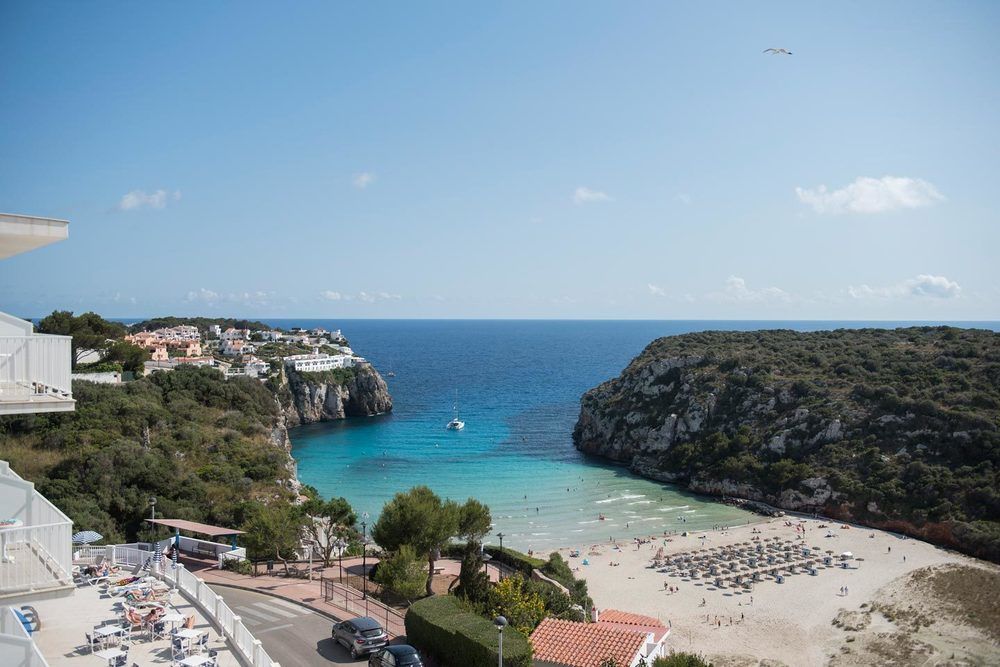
(307, 398)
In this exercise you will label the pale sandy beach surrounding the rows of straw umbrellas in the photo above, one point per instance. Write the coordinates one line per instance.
(790, 622)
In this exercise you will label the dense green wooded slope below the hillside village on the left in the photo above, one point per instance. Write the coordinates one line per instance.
(198, 443)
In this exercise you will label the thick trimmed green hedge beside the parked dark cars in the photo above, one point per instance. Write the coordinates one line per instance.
(441, 626)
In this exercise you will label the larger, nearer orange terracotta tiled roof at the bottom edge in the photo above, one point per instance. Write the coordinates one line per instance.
(584, 644)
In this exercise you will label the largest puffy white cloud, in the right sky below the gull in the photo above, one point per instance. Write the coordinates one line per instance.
(871, 195)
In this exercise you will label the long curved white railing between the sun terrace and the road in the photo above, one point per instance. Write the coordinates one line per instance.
(212, 606)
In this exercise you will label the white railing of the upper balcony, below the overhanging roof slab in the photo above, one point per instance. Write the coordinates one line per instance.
(38, 365)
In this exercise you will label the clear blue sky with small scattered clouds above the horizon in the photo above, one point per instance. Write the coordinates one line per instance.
(517, 159)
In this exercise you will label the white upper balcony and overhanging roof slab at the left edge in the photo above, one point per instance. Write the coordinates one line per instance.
(34, 368)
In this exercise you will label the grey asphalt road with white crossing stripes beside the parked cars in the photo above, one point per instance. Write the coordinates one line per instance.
(291, 634)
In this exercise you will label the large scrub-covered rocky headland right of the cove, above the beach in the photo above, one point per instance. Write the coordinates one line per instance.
(892, 428)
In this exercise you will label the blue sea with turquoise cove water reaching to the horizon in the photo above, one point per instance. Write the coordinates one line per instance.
(518, 384)
